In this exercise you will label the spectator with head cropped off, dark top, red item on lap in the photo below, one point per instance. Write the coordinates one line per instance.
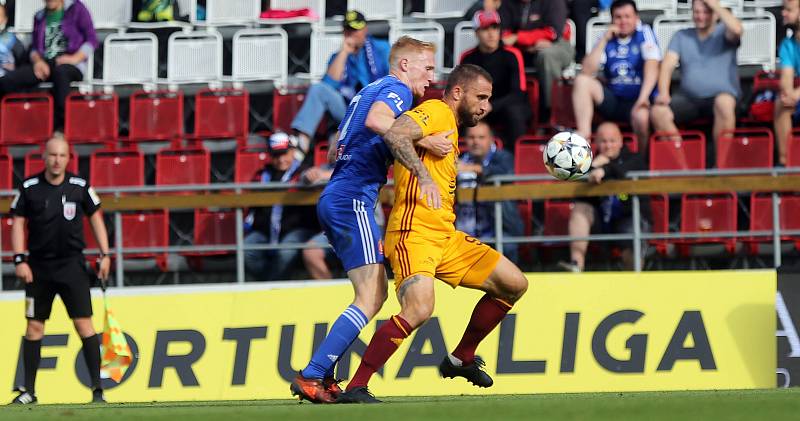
(539, 29)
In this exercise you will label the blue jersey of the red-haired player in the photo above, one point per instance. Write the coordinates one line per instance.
(362, 158)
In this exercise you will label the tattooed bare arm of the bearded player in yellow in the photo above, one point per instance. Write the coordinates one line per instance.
(400, 139)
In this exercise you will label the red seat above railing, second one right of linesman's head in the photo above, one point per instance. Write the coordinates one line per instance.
(183, 166)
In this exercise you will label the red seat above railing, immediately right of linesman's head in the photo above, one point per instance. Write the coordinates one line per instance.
(116, 167)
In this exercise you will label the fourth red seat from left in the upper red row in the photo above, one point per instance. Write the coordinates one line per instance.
(222, 114)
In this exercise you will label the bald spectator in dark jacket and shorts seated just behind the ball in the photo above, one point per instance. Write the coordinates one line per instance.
(609, 214)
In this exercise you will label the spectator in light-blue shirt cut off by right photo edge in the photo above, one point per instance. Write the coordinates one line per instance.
(786, 107)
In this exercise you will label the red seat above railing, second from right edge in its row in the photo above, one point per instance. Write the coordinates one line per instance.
(745, 148)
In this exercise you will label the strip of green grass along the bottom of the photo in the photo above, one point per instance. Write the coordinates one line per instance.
(770, 405)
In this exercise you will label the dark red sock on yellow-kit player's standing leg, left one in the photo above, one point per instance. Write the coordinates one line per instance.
(385, 342)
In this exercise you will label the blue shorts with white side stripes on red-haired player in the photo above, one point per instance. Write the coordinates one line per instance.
(351, 229)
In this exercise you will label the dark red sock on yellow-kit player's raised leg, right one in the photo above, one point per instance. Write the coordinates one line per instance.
(488, 313)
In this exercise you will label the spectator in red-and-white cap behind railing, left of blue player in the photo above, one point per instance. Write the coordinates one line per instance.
(278, 224)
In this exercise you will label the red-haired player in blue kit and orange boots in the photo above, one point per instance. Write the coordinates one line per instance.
(346, 206)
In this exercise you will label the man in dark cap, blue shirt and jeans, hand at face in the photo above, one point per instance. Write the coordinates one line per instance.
(360, 61)
